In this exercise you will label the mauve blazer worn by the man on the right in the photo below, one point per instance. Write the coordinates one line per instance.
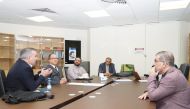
(171, 92)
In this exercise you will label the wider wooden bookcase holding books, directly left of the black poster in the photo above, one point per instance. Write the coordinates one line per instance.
(44, 46)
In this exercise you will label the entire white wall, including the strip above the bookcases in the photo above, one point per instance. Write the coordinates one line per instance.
(119, 42)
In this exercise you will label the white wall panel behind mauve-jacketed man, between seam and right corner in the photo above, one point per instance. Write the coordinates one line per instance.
(162, 36)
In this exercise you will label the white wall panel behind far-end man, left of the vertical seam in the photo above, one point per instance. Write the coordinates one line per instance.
(119, 43)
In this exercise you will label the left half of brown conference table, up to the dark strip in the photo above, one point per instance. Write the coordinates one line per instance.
(64, 94)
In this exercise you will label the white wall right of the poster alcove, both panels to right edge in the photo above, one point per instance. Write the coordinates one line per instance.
(119, 43)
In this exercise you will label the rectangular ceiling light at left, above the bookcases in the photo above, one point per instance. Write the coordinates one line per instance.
(40, 19)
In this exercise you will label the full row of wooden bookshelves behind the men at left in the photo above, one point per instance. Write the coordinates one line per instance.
(10, 48)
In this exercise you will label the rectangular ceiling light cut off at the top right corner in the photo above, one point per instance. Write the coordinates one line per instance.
(174, 4)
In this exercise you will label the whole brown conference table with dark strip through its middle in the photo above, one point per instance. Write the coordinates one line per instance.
(108, 95)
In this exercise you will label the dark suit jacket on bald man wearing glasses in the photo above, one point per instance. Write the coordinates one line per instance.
(56, 75)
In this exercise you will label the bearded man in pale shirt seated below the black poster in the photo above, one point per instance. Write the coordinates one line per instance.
(76, 71)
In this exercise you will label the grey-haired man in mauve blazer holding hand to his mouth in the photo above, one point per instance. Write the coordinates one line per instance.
(172, 90)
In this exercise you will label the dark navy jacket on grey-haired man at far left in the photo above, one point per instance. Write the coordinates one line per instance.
(21, 77)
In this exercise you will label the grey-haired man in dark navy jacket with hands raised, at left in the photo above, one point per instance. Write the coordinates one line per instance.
(21, 76)
